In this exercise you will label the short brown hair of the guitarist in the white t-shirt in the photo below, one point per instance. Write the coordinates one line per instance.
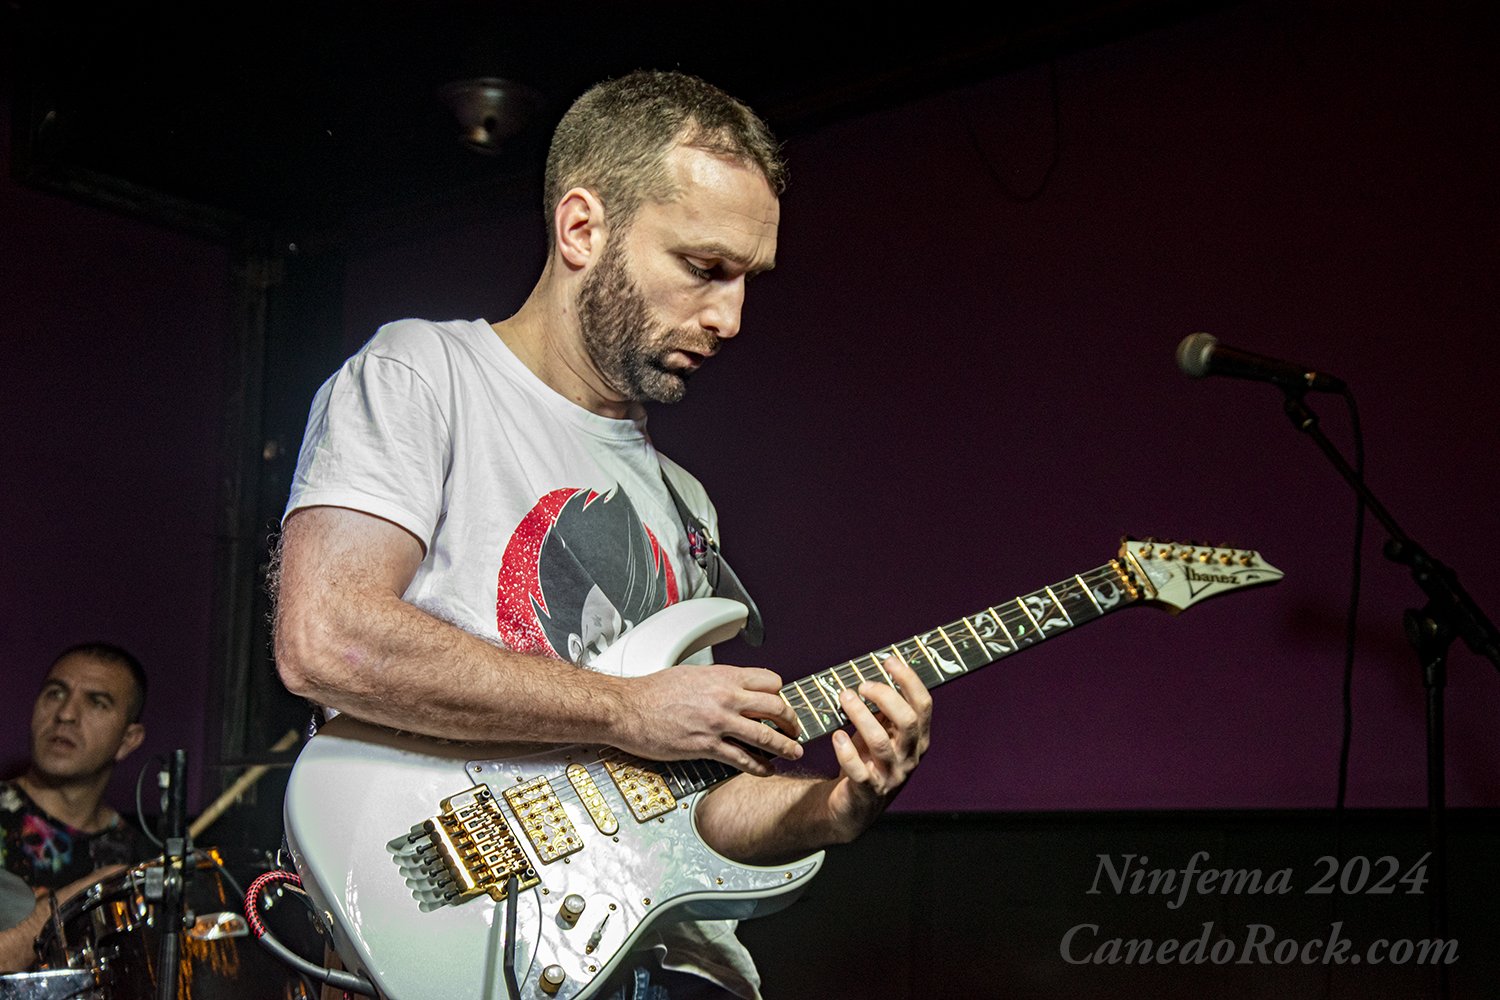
(614, 142)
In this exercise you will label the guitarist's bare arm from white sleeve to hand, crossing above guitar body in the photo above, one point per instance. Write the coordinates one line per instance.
(347, 639)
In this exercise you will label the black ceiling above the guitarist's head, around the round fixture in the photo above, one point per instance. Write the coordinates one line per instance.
(326, 116)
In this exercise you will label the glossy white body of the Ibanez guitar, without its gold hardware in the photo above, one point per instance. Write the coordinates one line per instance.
(358, 791)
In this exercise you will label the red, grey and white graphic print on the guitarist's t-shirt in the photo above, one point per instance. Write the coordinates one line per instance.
(578, 572)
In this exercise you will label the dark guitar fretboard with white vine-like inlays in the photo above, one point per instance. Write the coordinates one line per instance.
(938, 656)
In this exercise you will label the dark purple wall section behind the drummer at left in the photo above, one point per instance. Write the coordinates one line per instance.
(116, 337)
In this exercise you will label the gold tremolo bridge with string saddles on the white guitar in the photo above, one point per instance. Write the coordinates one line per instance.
(472, 851)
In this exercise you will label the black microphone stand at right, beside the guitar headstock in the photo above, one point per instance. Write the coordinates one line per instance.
(1450, 614)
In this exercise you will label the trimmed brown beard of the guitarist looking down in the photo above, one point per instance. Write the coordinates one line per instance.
(625, 341)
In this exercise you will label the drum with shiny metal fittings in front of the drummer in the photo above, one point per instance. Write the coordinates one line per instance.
(113, 930)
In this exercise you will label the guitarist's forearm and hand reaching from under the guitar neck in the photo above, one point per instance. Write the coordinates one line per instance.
(770, 821)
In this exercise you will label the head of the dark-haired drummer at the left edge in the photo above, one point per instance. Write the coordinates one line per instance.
(88, 716)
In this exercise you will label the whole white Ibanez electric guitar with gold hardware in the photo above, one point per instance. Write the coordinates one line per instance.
(410, 846)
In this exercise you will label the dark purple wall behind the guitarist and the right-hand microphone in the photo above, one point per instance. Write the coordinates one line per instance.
(952, 392)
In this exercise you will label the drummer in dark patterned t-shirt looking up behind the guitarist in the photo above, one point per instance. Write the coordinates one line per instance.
(56, 830)
